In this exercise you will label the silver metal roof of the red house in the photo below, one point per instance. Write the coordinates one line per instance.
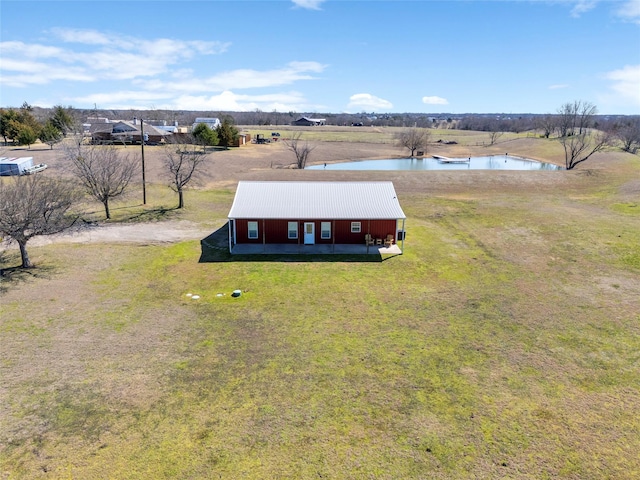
(316, 200)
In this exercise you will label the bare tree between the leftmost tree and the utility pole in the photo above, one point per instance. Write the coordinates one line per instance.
(104, 172)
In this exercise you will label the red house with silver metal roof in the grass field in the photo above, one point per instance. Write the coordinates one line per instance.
(314, 213)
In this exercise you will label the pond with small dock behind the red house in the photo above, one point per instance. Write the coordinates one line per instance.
(493, 162)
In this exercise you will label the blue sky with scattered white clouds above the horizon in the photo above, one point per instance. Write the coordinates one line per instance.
(327, 56)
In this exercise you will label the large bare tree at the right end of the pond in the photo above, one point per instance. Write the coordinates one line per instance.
(579, 140)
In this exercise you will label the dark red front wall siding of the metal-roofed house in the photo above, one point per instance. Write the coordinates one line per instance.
(276, 231)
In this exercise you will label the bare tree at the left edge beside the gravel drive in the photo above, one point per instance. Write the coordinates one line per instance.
(32, 206)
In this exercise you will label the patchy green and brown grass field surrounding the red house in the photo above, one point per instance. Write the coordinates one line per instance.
(503, 343)
